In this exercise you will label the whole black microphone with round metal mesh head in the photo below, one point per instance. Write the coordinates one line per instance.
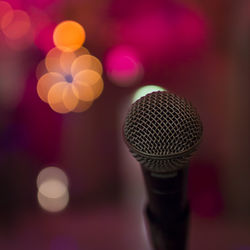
(162, 131)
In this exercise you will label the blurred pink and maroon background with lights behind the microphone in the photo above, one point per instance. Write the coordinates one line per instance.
(67, 181)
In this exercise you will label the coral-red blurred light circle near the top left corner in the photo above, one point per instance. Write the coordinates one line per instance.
(15, 24)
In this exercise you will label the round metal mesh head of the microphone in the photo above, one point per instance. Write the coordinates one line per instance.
(162, 130)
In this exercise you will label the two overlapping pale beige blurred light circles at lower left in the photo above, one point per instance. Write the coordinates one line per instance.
(52, 184)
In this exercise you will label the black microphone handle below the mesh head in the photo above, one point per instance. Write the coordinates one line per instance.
(167, 210)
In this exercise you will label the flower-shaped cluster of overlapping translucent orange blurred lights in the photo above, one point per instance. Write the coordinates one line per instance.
(69, 81)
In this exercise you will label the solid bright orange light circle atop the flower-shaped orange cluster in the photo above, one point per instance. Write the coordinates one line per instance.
(69, 36)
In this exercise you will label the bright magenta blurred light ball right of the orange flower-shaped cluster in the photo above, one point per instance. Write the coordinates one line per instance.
(123, 66)
